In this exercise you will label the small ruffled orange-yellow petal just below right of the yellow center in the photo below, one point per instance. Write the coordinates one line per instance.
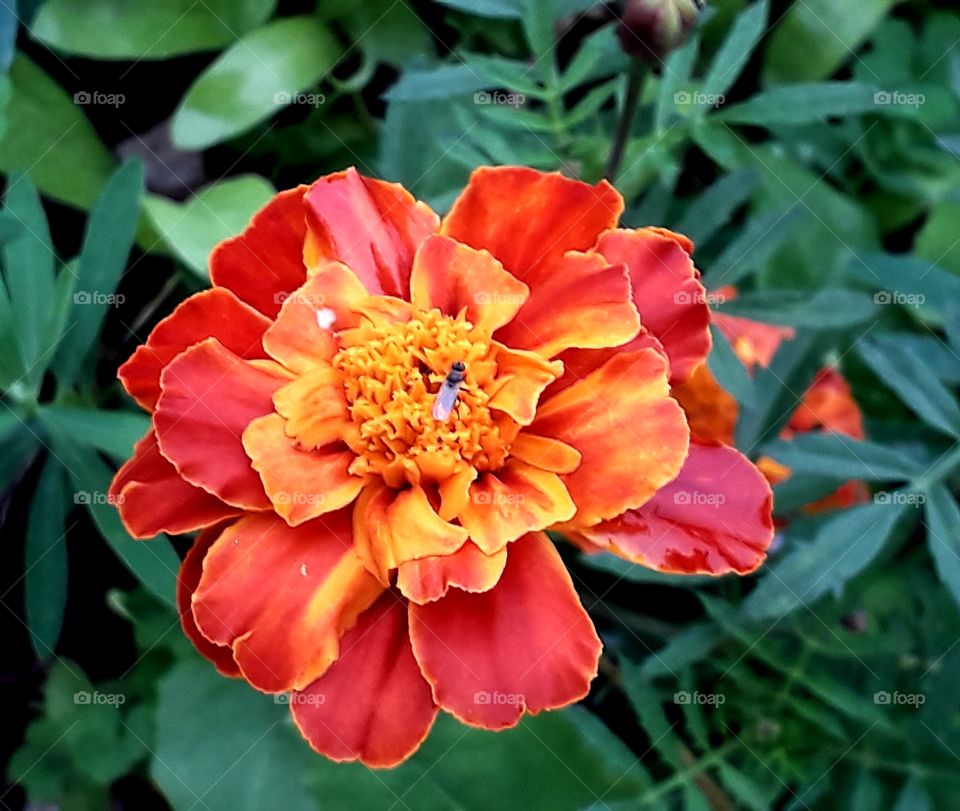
(515, 500)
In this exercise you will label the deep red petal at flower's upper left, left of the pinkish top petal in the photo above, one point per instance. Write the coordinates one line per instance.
(266, 261)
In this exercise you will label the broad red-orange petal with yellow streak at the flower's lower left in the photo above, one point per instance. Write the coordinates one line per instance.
(282, 597)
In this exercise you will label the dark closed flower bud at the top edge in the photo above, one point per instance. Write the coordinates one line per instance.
(651, 29)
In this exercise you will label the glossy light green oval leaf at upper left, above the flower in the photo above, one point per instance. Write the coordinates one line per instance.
(253, 79)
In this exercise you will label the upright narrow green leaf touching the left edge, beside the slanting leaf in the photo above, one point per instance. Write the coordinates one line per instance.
(29, 271)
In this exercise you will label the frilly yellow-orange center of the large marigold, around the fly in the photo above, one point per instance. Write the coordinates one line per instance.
(392, 374)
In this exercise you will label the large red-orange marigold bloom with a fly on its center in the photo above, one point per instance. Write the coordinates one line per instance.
(374, 415)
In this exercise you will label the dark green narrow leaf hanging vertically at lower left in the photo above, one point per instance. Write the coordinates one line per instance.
(45, 560)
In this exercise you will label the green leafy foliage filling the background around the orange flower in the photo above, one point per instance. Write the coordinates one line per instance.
(809, 148)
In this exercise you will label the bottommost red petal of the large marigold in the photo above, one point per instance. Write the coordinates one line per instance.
(372, 705)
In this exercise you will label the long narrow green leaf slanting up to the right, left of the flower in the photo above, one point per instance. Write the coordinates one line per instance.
(106, 245)
